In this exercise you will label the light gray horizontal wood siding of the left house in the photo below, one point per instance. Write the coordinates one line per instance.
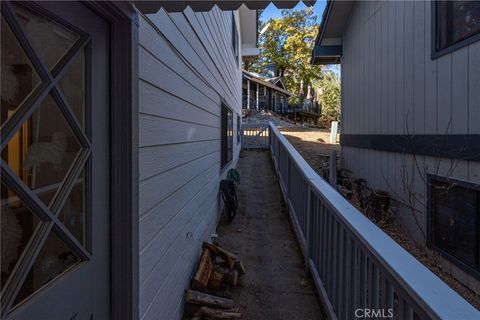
(186, 69)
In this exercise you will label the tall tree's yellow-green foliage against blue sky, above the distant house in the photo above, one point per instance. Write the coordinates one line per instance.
(288, 43)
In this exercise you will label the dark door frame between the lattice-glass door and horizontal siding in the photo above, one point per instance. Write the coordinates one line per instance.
(124, 217)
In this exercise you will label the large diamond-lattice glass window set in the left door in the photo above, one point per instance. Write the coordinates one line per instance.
(45, 151)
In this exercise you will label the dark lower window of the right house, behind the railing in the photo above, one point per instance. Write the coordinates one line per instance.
(454, 220)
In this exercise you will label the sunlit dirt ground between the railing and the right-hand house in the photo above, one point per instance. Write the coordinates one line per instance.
(313, 144)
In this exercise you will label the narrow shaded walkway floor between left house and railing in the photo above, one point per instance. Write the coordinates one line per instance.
(276, 285)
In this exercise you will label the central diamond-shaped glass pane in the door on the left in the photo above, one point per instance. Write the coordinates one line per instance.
(43, 150)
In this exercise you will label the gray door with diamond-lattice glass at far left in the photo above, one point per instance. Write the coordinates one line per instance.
(54, 162)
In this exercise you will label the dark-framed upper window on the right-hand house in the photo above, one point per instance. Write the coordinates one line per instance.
(457, 23)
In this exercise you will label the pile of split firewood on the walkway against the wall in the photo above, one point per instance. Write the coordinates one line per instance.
(208, 296)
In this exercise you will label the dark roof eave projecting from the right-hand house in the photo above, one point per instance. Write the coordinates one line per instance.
(328, 44)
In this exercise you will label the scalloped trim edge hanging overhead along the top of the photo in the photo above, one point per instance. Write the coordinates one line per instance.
(147, 7)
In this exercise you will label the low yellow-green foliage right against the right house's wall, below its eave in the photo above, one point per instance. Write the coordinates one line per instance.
(330, 98)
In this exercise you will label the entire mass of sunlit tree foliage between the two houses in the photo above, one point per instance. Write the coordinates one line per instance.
(287, 43)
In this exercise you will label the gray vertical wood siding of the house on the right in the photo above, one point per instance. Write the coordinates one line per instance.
(390, 85)
